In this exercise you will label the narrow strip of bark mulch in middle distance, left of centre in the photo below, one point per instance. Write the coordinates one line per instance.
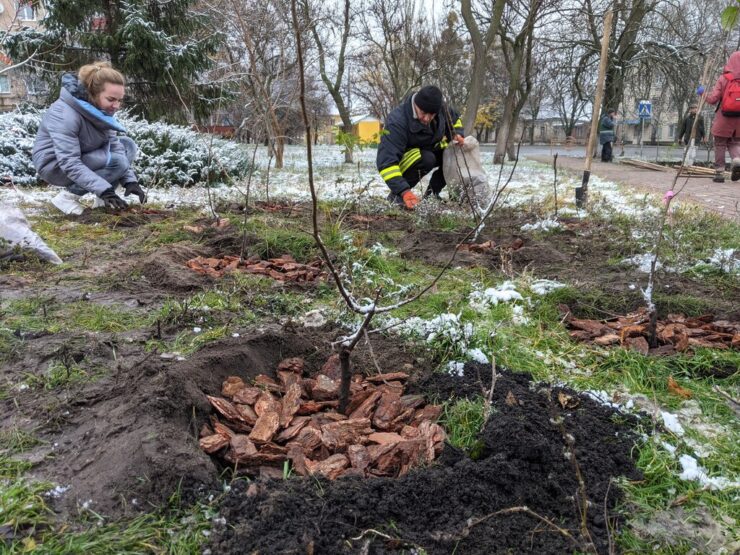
(284, 268)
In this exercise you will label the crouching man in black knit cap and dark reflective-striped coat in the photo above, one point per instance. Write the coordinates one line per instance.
(411, 145)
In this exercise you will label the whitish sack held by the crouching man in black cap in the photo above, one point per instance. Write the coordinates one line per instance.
(464, 173)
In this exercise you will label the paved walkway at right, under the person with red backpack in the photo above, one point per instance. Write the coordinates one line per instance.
(723, 198)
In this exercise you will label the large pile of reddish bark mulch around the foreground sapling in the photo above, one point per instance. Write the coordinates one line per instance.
(381, 433)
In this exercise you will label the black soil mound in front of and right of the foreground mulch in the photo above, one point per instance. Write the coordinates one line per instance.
(523, 462)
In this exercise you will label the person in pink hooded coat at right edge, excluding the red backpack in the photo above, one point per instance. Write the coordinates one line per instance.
(726, 130)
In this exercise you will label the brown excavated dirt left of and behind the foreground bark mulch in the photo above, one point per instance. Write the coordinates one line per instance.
(127, 440)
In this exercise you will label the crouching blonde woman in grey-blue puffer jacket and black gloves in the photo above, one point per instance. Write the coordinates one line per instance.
(77, 146)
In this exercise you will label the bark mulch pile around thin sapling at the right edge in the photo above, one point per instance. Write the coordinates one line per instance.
(676, 333)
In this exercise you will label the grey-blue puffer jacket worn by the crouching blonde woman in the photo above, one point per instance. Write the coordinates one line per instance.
(75, 139)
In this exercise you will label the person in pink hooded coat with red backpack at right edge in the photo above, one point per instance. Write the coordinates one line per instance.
(726, 127)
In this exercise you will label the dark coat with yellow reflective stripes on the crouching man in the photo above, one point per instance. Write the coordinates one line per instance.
(404, 137)
